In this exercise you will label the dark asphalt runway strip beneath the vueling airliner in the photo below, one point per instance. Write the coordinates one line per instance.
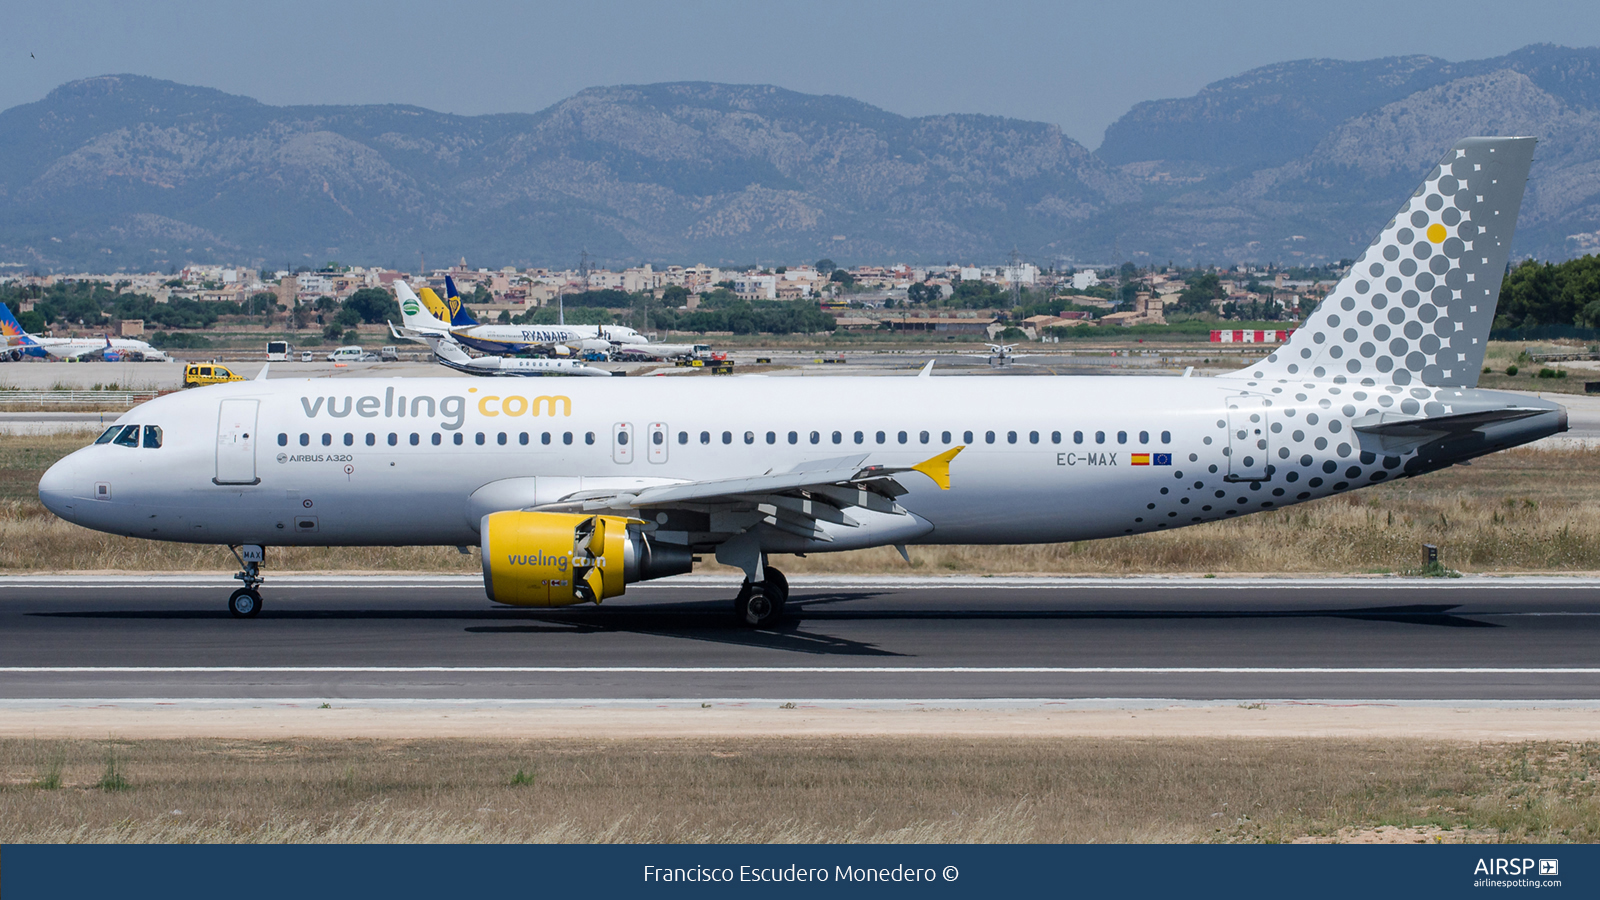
(866, 640)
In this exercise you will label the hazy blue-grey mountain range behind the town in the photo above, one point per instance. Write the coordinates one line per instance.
(1290, 163)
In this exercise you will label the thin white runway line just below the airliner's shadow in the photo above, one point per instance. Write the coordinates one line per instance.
(801, 670)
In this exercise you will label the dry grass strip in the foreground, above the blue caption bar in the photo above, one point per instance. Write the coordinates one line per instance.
(788, 790)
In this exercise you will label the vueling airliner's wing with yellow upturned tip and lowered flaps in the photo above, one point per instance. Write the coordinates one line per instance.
(791, 502)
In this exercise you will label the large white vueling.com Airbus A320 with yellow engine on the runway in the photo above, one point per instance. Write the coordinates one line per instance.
(578, 488)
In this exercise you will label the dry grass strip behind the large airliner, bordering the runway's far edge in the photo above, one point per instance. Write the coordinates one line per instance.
(1516, 512)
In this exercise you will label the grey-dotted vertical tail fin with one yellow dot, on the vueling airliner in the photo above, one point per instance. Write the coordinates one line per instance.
(1418, 305)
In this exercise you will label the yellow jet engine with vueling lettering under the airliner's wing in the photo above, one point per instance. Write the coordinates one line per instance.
(558, 560)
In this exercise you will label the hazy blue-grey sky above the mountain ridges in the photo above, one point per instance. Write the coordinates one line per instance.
(1076, 65)
